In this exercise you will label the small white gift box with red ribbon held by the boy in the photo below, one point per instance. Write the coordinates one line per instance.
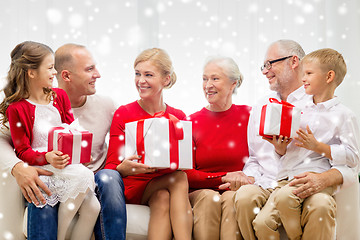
(279, 118)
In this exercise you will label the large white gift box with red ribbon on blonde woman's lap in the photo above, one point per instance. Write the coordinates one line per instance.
(163, 141)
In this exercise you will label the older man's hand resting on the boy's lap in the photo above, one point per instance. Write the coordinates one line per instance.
(310, 182)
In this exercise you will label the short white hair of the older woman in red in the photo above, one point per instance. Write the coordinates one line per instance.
(230, 68)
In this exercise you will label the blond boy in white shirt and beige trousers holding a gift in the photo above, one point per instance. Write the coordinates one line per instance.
(331, 138)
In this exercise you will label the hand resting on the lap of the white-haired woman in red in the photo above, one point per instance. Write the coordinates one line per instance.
(234, 180)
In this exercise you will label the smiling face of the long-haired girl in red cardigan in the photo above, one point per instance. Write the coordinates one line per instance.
(44, 75)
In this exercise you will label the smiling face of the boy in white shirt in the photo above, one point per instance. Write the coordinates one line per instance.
(314, 78)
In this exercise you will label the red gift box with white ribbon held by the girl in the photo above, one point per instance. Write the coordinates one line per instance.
(69, 139)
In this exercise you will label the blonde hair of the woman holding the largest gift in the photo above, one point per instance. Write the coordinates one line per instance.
(161, 60)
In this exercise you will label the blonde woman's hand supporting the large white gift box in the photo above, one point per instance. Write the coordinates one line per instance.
(130, 166)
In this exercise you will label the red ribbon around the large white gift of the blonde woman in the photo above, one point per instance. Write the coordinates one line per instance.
(176, 133)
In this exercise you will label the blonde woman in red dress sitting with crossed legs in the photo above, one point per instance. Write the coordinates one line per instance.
(164, 191)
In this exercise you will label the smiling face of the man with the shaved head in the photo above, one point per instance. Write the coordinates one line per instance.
(83, 73)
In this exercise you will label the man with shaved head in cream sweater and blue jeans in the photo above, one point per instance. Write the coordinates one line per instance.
(77, 75)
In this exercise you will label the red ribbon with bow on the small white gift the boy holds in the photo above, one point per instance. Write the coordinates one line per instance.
(286, 118)
